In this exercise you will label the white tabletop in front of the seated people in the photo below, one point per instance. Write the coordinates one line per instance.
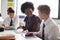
(18, 36)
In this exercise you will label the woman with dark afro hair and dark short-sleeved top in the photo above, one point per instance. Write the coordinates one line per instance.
(32, 21)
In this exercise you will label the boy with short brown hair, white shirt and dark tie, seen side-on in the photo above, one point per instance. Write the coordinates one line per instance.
(49, 30)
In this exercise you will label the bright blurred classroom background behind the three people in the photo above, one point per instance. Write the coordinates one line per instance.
(16, 5)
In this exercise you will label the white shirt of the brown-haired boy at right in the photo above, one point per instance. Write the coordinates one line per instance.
(51, 30)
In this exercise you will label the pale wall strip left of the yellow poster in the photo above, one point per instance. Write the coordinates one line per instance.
(4, 8)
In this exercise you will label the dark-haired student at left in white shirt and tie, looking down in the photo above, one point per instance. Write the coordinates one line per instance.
(11, 22)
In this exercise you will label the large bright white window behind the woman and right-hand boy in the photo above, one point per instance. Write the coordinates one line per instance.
(52, 3)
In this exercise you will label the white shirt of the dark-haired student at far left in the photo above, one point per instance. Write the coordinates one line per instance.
(15, 20)
